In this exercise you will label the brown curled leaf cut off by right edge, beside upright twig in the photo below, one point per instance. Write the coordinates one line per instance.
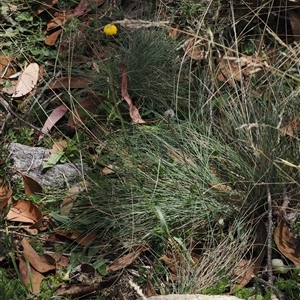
(287, 243)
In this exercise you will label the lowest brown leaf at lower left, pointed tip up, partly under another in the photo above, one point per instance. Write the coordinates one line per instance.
(30, 277)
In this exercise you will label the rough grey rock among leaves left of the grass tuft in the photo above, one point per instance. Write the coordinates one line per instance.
(30, 160)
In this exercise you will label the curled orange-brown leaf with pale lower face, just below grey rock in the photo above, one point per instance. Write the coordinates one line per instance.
(25, 212)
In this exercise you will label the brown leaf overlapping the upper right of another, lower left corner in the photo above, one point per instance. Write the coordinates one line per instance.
(41, 263)
